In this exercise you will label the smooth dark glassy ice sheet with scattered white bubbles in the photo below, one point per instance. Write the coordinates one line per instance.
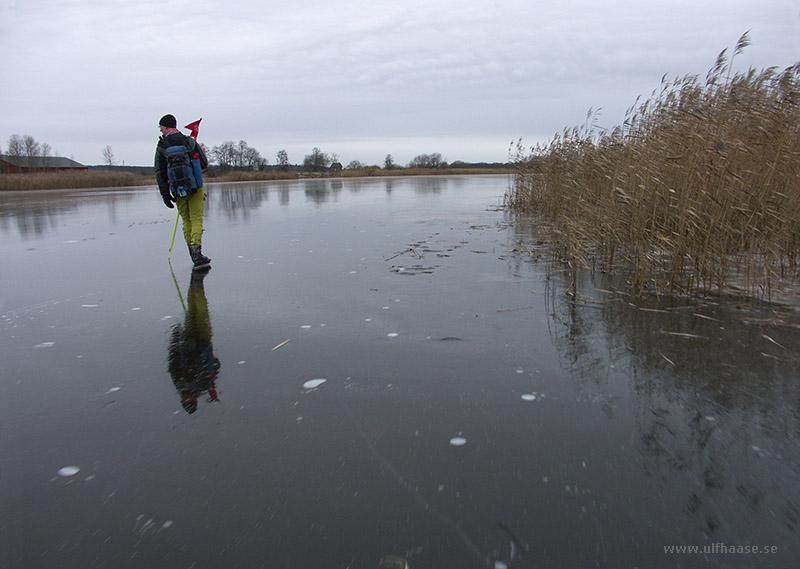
(372, 368)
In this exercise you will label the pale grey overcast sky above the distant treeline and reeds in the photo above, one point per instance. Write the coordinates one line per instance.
(358, 78)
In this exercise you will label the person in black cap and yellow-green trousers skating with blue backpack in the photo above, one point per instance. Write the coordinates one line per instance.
(180, 183)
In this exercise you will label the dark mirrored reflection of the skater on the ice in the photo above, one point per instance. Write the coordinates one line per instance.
(192, 364)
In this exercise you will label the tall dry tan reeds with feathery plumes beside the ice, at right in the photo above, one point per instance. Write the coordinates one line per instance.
(697, 191)
